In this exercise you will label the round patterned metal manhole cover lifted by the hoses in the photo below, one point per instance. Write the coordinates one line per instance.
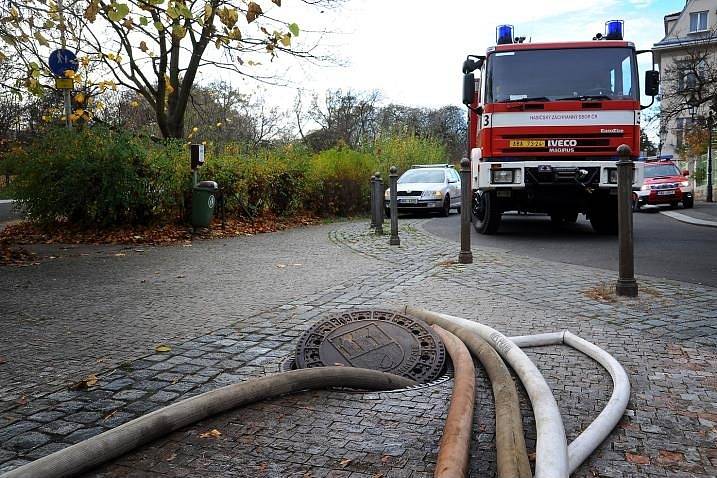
(375, 339)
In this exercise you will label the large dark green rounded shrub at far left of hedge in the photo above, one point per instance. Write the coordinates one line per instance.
(93, 177)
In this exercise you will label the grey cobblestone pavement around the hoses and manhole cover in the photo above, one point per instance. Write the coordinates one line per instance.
(240, 306)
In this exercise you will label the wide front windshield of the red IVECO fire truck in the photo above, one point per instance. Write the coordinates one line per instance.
(553, 75)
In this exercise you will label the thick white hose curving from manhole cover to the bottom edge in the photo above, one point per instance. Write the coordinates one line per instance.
(551, 455)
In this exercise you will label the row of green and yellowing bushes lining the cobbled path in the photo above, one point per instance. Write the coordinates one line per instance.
(100, 178)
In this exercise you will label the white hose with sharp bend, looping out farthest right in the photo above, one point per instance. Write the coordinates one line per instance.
(586, 443)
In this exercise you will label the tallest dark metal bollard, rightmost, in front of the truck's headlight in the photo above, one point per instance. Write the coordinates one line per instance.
(626, 284)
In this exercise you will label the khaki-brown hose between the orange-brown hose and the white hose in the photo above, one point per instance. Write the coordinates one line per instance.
(511, 454)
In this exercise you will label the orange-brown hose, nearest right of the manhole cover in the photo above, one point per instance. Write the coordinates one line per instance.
(454, 448)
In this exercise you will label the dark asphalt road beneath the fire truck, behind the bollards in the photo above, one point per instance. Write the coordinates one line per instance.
(664, 247)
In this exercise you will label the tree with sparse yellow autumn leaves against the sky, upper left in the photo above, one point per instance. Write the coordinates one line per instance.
(154, 48)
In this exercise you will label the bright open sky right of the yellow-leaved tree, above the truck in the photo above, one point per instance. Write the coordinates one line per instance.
(412, 51)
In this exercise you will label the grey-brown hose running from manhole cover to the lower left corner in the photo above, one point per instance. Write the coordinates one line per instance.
(113, 443)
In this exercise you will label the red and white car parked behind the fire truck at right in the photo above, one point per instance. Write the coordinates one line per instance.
(663, 184)
